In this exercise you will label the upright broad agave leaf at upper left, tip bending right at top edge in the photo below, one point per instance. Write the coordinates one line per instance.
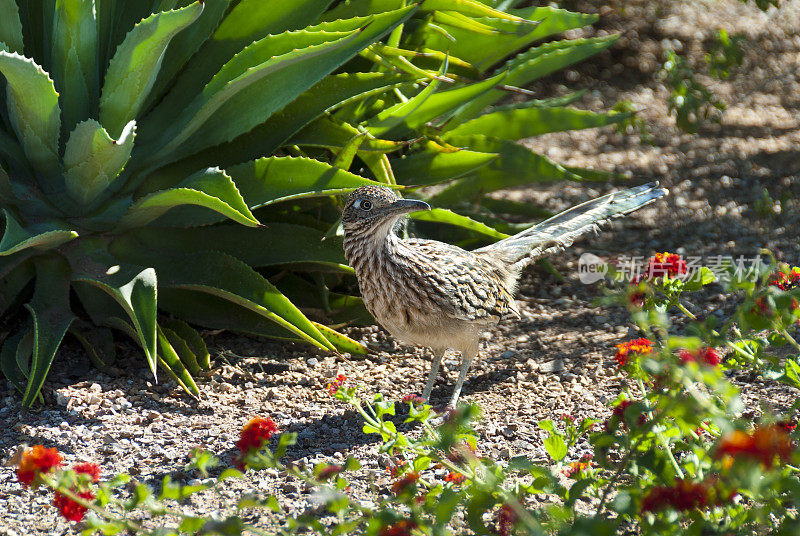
(133, 69)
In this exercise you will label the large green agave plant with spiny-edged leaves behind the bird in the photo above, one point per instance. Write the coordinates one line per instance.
(187, 157)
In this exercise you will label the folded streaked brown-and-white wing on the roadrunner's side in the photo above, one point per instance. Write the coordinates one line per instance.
(467, 286)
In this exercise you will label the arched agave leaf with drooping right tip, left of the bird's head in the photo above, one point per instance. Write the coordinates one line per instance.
(211, 188)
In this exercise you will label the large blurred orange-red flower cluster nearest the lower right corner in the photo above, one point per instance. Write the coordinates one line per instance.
(764, 444)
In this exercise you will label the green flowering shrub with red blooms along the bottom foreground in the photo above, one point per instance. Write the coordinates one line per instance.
(675, 456)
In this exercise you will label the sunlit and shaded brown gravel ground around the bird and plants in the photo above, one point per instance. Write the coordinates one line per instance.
(555, 360)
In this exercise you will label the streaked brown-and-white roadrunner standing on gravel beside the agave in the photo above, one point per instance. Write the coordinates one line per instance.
(433, 294)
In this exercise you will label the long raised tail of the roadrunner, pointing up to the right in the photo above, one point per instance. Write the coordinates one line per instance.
(562, 229)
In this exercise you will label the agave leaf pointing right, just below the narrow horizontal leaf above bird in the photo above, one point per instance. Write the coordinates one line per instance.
(517, 165)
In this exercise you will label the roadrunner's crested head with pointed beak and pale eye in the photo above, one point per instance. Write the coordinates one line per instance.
(376, 209)
